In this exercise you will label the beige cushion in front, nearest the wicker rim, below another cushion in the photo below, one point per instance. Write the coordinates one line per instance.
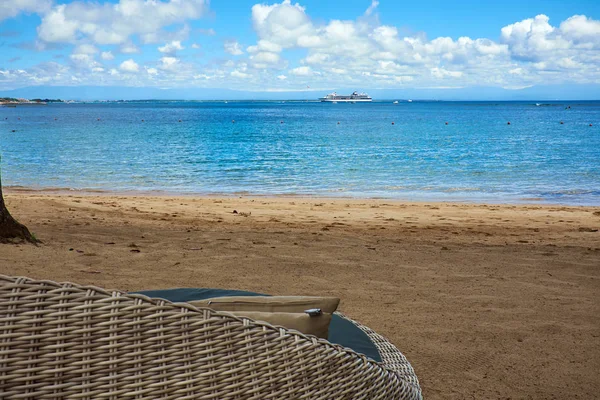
(301, 322)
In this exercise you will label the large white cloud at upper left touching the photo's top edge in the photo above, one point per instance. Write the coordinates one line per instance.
(106, 23)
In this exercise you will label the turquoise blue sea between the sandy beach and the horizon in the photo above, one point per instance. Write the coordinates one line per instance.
(299, 148)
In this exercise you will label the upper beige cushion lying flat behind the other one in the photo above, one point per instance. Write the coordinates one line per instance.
(290, 304)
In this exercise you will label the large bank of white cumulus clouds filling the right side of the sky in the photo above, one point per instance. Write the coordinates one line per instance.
(380, 53)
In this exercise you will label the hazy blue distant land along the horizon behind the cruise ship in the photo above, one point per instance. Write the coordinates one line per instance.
(539, 93)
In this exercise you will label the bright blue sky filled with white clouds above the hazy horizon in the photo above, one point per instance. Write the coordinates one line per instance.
(309, 45)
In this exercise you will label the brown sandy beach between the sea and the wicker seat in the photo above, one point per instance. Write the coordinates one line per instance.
(486, 301)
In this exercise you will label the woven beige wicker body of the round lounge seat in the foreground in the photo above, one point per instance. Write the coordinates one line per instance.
(65, 341)
